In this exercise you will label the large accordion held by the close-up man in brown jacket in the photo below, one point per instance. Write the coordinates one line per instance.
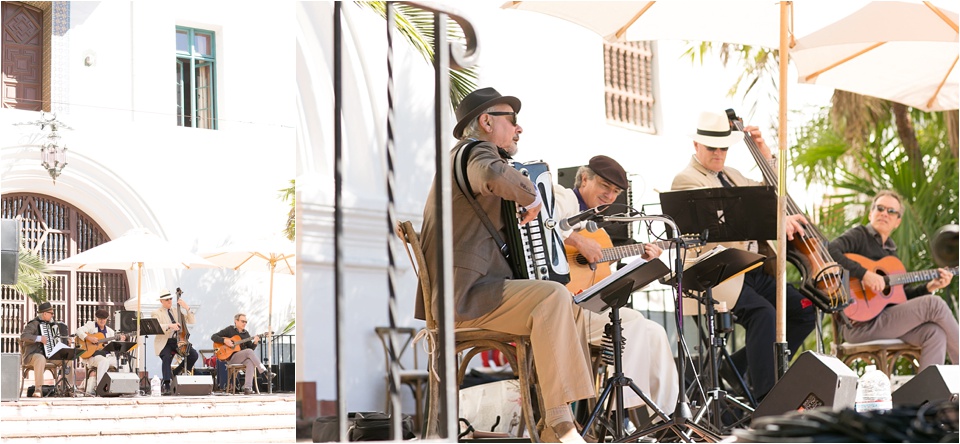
(536, 250)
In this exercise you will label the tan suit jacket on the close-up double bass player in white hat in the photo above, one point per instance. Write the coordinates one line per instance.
(695, 175)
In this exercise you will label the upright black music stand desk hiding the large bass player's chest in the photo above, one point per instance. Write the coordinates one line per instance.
(730, 214)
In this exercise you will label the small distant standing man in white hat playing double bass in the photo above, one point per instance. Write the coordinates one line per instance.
(166, 345)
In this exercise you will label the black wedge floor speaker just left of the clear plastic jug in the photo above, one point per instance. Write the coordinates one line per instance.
(814, 380)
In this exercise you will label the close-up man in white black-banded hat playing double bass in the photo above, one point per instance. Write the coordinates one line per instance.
(754, 293)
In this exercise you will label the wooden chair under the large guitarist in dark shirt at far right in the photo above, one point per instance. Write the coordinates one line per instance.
(884, 353)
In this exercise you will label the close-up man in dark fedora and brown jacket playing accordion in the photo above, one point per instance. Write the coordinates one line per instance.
(484, 293)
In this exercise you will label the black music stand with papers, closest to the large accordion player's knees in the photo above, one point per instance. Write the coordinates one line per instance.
(612, 293)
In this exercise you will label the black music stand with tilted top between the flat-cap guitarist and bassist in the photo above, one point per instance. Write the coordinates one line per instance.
(710, 270)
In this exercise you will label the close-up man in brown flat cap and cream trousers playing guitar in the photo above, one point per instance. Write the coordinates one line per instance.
(647, 357)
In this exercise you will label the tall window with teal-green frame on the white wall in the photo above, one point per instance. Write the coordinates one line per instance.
(196, 78)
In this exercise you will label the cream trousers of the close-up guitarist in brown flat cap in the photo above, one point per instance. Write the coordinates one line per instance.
(647, 358)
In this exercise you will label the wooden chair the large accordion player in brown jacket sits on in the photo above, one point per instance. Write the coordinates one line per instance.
(469, 342)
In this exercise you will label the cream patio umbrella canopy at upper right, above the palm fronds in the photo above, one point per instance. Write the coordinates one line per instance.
(898, 51)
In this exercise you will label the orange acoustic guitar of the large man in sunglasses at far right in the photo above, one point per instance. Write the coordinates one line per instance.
(867, 304)
